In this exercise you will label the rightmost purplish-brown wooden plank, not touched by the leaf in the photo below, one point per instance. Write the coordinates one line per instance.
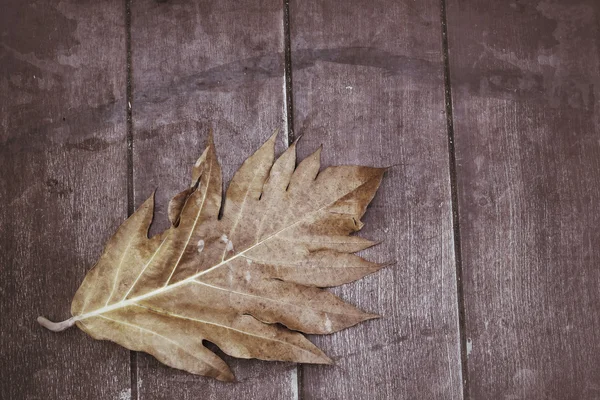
(525, 85)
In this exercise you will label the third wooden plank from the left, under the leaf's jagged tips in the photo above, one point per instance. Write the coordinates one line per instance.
(368, 84)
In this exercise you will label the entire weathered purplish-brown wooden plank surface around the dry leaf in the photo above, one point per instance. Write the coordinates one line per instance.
(488, 110)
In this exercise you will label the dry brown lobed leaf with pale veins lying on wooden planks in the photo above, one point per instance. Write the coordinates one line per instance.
(247, 281)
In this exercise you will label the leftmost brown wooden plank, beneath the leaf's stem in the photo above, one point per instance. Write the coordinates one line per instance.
(63, 190)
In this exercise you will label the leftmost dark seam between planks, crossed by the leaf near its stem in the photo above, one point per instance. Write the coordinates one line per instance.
(133, 365)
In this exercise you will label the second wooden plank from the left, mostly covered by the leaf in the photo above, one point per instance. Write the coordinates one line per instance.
(196, 65)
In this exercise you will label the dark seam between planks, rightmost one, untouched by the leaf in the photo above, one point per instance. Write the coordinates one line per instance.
(454, 201)
